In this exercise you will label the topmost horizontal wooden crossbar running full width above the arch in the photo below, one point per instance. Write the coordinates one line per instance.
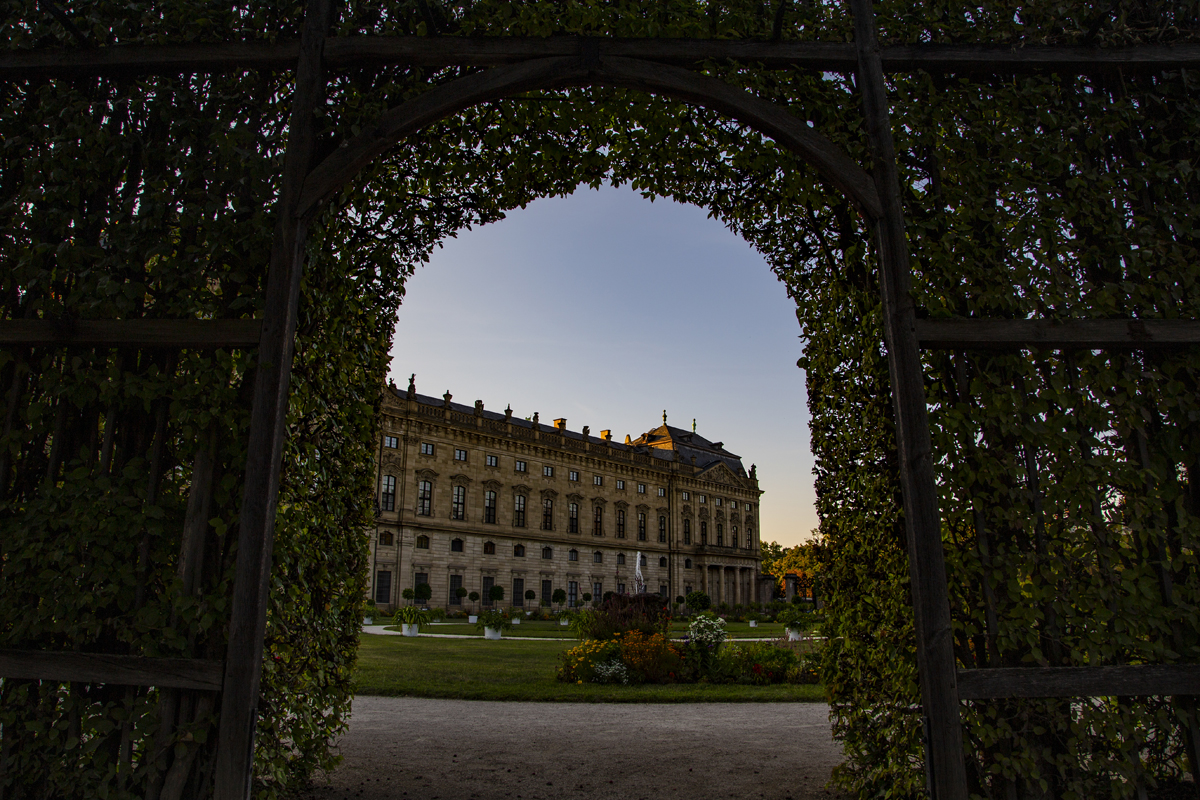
(353, 52)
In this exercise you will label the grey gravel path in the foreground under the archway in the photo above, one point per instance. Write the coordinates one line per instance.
(416, 749)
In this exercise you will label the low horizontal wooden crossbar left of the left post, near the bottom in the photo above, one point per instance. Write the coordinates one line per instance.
(124, 671)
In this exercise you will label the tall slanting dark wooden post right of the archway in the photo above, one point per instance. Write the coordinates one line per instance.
(945, 765)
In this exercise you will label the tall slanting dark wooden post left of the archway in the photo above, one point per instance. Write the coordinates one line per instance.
(248, 623)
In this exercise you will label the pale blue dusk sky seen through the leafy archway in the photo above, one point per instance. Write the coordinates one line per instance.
(607, 309)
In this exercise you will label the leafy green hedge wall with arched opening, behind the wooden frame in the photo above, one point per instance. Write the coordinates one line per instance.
(1069, 482)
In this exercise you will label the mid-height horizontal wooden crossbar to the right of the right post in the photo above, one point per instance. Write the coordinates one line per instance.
(1079, 334)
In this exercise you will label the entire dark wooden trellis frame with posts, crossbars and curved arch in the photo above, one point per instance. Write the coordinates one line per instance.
(653, 65)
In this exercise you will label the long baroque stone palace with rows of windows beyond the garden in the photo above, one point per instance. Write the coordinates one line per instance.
(475, 500)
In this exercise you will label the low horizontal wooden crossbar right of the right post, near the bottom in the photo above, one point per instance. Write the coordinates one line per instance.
(1079, 682)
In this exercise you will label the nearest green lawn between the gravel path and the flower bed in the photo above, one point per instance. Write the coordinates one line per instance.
(395, 666)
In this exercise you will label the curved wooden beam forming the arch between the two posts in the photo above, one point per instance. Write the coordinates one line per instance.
(448, 99)
